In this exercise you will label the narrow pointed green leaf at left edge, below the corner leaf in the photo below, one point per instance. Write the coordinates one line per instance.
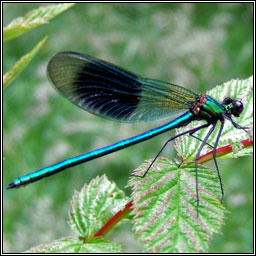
(21, 64)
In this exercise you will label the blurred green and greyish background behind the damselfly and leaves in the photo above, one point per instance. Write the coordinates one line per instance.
(194, 45)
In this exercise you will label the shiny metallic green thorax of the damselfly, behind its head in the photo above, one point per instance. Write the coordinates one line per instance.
(211, 109)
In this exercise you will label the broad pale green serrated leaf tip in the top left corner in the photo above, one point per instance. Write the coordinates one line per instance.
(33, 19)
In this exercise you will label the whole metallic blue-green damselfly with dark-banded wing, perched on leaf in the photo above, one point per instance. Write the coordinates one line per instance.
(111, 92)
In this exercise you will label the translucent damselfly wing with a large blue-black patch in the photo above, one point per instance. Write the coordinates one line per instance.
(106, 90)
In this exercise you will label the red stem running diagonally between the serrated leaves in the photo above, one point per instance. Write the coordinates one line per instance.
(128, 207)
